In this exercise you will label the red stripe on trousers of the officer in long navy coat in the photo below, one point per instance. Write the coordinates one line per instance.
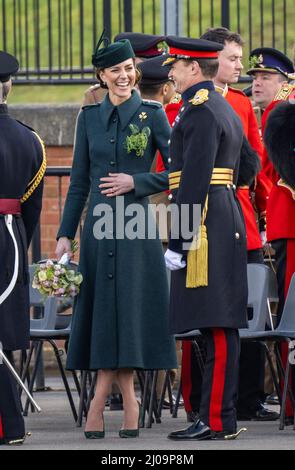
(218, 382)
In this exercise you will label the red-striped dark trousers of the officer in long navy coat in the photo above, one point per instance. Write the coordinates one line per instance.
(220, 379)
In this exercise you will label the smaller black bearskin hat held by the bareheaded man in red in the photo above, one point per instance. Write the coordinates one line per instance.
(249, 164)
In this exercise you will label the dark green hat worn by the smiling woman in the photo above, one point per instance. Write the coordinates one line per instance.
(111, 54)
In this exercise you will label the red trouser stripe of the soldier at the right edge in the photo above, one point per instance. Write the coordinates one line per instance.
(290, 269)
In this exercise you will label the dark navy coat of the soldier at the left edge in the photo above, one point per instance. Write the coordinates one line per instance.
(21, 156)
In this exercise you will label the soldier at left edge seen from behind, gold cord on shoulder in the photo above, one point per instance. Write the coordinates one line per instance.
(23, 164)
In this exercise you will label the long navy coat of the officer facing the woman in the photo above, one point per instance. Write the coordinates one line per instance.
(209, 134)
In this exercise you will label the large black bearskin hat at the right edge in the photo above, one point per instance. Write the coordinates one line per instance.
(279, 138)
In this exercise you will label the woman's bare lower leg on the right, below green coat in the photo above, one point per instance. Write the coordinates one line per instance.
(131, 410)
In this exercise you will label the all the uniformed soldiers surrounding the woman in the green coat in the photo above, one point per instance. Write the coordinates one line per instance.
(217, 159)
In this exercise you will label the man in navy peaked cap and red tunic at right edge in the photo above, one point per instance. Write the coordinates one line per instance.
(272, 70)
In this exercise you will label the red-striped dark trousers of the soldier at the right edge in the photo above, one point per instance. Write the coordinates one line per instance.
(285, 267)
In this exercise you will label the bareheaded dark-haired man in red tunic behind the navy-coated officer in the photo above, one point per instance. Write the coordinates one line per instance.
(252, 355)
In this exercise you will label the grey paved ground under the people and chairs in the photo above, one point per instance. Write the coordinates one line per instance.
(54, 429)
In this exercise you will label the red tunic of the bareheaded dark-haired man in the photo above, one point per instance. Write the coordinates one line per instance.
(243, 107)
